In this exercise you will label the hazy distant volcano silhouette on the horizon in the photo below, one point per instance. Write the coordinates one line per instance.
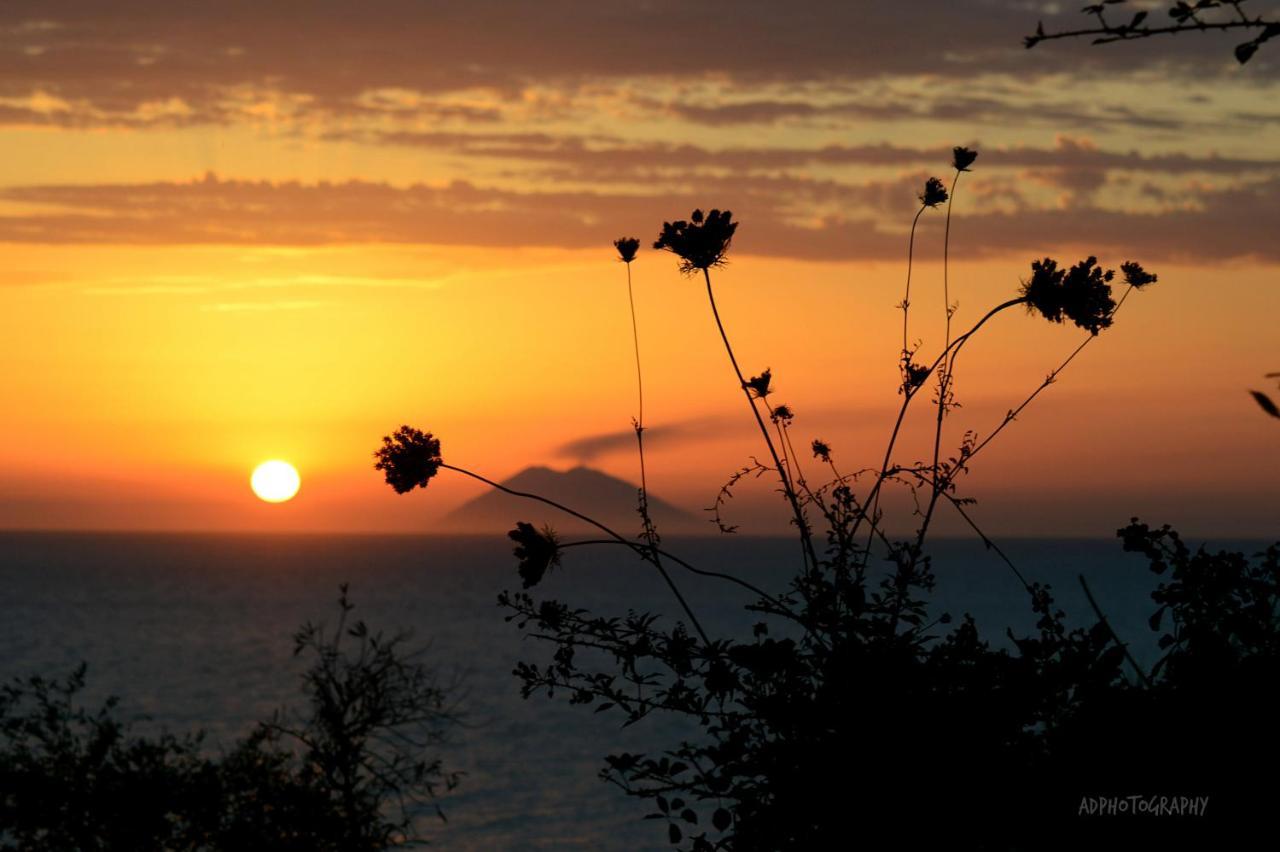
(593, 493)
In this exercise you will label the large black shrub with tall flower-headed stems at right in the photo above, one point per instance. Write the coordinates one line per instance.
(852, 713)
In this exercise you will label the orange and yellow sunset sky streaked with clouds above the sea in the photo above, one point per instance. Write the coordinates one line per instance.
(249, 231)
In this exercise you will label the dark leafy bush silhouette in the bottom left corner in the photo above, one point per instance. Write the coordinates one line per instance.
(349, 776)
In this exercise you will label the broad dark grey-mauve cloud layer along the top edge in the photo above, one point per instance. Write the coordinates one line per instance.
(108, 59)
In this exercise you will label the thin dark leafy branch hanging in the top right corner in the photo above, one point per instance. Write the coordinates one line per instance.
(1186, 16)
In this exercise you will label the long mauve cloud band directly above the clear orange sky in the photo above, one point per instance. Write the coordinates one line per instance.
(1205, 223)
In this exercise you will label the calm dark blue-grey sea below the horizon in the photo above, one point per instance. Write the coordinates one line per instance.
(194, 631)
